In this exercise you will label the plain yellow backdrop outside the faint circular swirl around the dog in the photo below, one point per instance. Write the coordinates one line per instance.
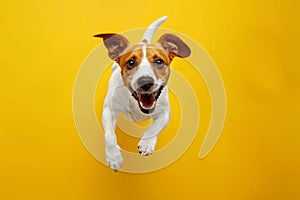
(256, 47)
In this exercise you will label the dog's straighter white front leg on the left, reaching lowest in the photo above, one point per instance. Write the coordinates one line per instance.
(113, 151)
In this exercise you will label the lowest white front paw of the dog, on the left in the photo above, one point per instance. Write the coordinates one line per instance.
(113, 157)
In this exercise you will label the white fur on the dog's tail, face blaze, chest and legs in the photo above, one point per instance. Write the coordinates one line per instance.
(119, 99)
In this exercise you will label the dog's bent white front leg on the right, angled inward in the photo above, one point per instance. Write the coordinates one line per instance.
(147, 143)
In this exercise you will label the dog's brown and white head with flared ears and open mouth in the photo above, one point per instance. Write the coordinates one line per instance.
(145, 68)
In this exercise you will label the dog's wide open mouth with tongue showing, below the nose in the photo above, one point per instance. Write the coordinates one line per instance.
(147, 100)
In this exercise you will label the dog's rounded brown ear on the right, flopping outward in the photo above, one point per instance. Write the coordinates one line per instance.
(174, 45)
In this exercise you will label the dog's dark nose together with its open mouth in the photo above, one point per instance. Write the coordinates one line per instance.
(145, 95)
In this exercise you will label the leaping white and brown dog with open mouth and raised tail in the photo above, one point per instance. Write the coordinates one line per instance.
(138, 86)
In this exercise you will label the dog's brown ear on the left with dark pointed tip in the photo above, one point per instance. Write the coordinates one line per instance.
(114, 43)
